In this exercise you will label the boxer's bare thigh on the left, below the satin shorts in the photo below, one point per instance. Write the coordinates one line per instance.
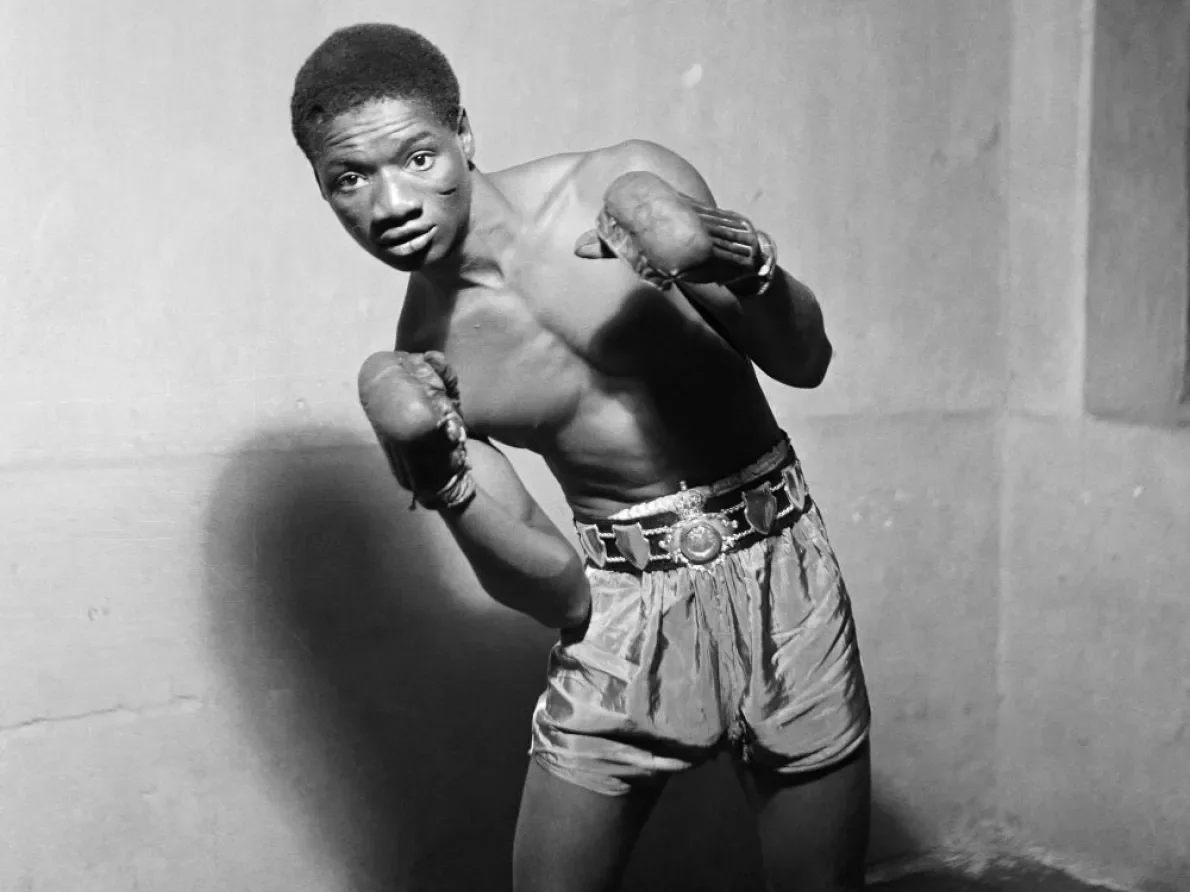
(571, 839)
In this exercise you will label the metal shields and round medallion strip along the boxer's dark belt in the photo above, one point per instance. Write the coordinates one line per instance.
(698, 538)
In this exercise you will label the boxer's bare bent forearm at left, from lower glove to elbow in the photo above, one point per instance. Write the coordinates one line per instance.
(521, 558)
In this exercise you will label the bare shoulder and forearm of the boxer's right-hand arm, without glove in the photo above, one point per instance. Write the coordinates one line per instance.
(782, 330)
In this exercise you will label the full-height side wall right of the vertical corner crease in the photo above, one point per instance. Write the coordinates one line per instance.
(1094, 730)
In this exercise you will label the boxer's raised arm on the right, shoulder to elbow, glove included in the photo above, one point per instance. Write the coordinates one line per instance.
(769, 316)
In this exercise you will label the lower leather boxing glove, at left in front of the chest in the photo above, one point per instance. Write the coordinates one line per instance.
(412, 401)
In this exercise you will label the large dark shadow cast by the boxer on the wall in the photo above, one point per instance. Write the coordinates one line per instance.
(391, 701)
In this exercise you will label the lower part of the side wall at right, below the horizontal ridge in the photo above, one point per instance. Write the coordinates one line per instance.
(1095, 727)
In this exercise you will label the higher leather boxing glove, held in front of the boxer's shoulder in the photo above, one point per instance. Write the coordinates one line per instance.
(666, 236)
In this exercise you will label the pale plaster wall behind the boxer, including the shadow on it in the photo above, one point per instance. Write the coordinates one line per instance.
(231, 659)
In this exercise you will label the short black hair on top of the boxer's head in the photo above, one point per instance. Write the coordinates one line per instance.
(362, 64)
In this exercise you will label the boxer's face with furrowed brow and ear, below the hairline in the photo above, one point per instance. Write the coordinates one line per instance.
(398, 180)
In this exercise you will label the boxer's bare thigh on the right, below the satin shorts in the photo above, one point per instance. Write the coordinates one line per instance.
(813, 827)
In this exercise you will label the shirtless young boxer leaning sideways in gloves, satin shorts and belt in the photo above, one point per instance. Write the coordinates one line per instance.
(599, 310)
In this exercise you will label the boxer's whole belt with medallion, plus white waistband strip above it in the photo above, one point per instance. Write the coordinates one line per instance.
(700, 526)
